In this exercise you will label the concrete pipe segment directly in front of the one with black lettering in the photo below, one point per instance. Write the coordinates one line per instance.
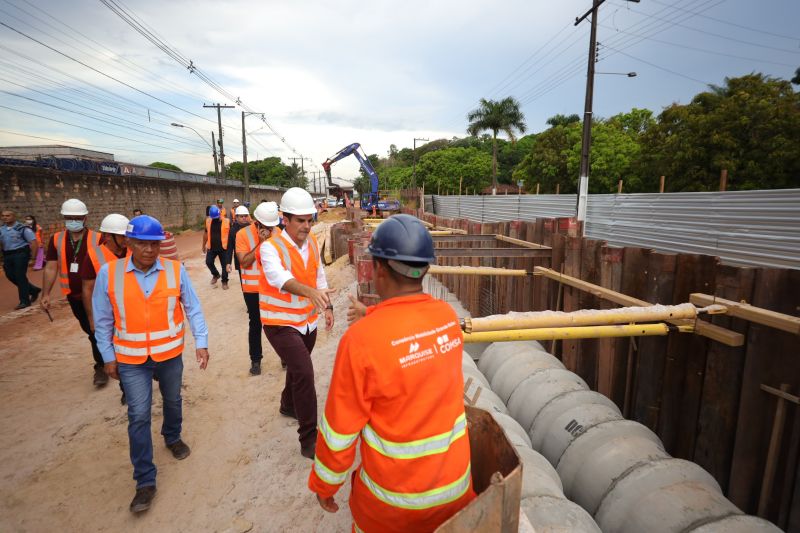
(605, 452)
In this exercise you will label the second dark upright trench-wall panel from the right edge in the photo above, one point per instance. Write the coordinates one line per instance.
(719, 404)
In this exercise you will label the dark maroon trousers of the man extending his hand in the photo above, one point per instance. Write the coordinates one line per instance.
(299, 394)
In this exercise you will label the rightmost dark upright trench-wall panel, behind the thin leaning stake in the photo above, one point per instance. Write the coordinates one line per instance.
(771, 358)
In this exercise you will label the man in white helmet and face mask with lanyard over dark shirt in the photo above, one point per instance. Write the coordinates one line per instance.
(65, 253)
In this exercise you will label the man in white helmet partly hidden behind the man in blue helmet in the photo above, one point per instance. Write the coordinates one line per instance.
(112, 246)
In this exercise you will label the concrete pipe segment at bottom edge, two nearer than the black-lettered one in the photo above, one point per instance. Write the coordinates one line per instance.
(663, 495)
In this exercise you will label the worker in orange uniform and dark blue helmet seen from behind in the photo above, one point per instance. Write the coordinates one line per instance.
(397, 383)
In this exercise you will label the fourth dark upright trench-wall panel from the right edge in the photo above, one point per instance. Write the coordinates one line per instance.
(649, 369)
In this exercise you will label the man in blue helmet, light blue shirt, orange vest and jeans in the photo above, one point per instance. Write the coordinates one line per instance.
(139, 327)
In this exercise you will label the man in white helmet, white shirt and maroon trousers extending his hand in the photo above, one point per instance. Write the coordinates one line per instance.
(289, 306)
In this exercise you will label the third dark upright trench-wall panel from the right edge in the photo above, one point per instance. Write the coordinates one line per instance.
(685, 362)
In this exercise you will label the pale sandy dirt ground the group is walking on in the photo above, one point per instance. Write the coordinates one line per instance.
(64, 462)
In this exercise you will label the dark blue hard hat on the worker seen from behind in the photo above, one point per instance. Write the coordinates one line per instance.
(402, 238)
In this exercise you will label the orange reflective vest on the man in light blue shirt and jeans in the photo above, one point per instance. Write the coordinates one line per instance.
(146, 327)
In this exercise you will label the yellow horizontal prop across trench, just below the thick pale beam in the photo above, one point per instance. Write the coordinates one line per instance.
(586, 332)
